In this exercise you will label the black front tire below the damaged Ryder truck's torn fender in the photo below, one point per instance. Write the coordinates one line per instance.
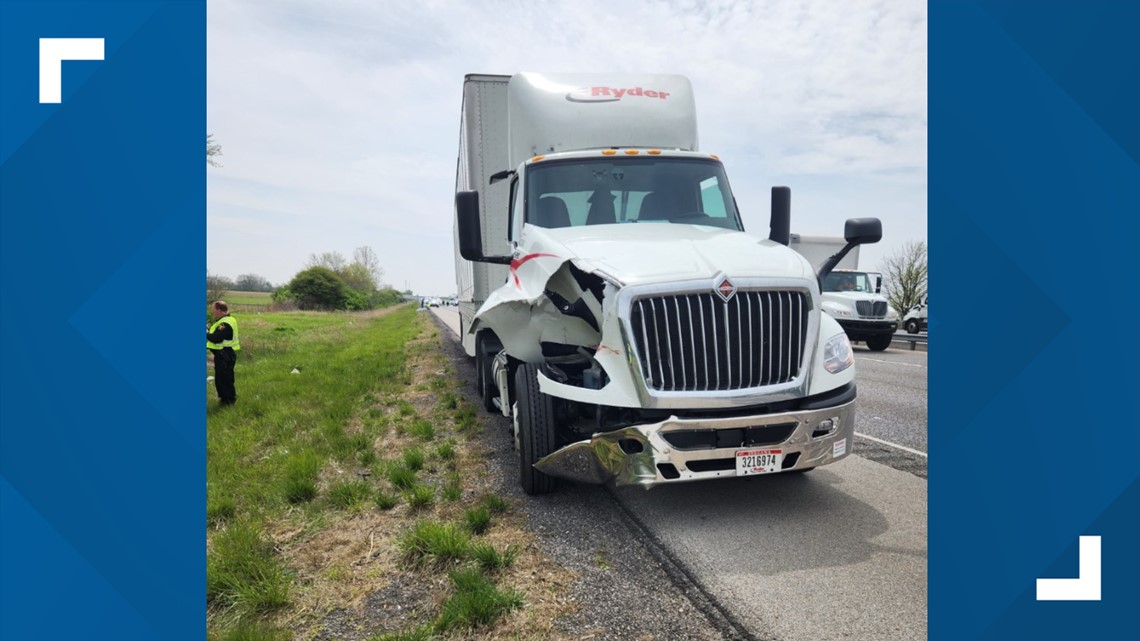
(535, 423)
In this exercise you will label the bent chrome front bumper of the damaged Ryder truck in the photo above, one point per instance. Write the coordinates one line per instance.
(650, 456)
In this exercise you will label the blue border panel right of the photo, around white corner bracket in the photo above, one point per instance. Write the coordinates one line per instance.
(1035, 234)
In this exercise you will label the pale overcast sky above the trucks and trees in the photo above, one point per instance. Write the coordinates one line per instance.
(339, 120)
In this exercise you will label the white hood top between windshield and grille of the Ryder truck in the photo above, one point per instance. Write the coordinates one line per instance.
(642, 254)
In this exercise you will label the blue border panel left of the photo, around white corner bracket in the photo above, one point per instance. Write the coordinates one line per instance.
(103, 233)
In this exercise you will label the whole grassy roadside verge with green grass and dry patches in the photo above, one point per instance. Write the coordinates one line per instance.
(351, 497)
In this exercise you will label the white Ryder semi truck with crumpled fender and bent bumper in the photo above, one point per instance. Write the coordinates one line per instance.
(616, 310)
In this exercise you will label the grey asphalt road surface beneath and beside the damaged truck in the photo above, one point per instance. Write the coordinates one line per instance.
(837, 554)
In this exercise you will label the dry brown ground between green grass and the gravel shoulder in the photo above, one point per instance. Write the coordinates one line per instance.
(352, 581)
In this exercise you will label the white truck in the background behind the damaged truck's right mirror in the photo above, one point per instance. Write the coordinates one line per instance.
(850, 296)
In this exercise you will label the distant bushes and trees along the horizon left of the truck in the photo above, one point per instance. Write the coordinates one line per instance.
(329, 282)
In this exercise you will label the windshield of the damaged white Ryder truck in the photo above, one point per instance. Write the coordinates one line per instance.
(610, 191)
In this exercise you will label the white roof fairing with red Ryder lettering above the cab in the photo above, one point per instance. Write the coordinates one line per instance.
(560, 112)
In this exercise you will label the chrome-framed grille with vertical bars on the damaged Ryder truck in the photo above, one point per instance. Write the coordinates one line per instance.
(698, 343)
